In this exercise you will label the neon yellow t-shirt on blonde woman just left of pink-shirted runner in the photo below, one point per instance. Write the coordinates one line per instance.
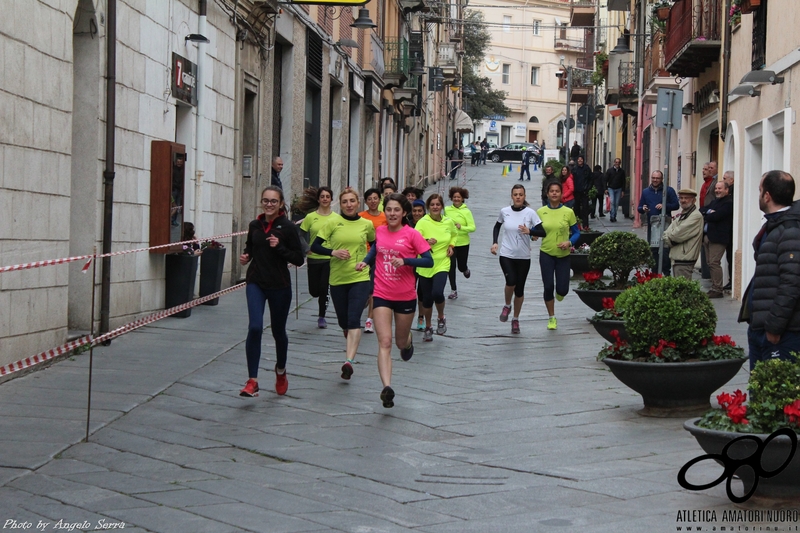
(353, 236)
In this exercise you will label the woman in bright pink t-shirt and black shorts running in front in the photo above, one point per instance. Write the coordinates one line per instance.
(395, 255)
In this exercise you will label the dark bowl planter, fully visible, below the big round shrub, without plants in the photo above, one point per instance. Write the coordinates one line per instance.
(675, 389)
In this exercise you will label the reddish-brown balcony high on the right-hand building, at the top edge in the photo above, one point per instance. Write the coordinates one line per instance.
(693, 40)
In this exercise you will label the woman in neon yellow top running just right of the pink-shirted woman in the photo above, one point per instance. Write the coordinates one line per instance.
(441, 233)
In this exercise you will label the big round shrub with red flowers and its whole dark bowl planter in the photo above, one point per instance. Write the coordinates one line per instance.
(672, 357)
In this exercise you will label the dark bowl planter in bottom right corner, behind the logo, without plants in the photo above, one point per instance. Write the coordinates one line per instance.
(782, 487)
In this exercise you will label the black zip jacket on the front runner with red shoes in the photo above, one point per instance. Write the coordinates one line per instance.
(268, 266)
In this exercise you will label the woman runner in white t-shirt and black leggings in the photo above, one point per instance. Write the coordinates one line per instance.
(518, 222)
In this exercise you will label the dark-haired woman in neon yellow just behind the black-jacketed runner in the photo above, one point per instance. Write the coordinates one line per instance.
(317, 203)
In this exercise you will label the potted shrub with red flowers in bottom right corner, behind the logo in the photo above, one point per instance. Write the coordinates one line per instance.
(774, 387)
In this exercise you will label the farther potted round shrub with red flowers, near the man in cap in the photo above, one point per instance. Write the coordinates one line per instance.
(617, 251)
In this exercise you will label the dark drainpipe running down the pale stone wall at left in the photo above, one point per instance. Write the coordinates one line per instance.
(108, 173)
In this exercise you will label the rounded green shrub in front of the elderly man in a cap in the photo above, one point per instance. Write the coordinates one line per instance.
(620, 252)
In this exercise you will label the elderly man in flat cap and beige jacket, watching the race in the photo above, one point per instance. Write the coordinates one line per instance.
(685, 235)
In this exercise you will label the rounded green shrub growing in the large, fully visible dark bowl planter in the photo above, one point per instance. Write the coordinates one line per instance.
(672, 309)
